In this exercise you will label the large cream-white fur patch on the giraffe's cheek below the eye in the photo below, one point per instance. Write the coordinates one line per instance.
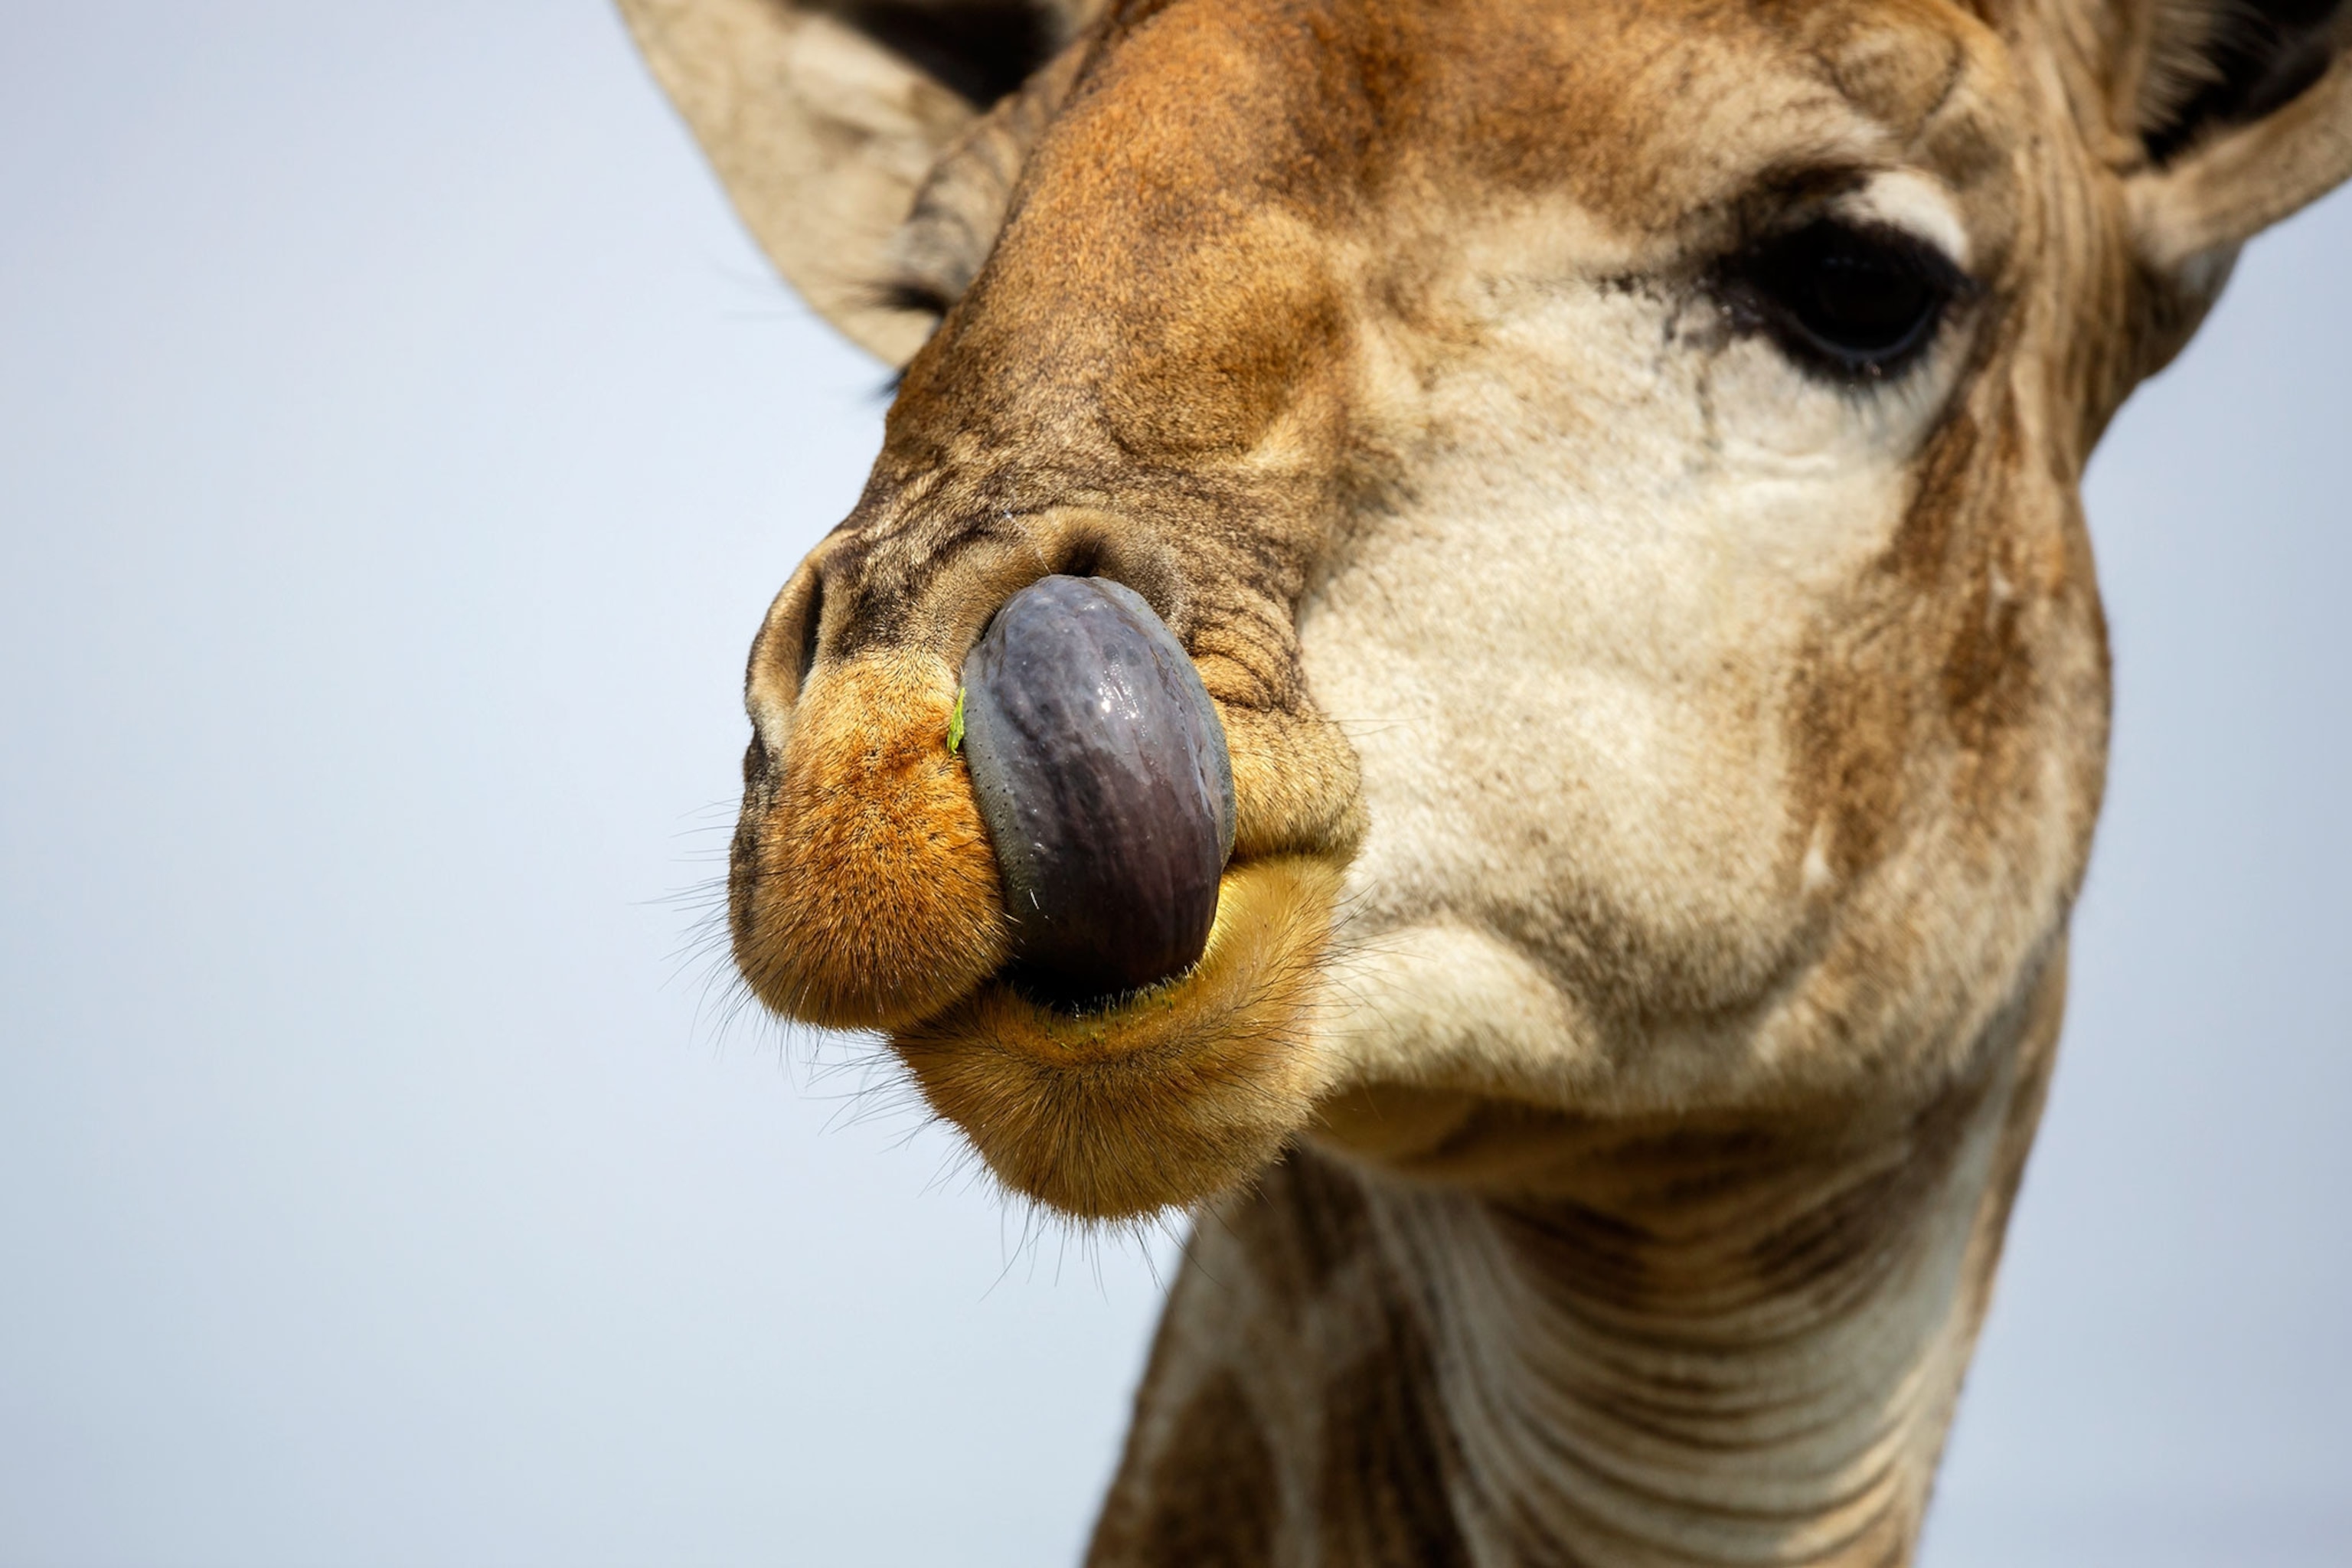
(1570, 664)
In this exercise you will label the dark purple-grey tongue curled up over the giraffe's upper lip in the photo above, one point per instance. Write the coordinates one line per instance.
(1102, 775)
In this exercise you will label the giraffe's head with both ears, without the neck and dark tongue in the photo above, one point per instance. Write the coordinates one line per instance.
(1610, 464)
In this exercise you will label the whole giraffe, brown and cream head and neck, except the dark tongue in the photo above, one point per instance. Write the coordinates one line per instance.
(1615, 471)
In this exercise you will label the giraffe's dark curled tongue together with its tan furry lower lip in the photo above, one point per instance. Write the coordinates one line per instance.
(1147, 1043)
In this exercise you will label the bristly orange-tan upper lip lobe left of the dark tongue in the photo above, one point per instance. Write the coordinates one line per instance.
(864, 887)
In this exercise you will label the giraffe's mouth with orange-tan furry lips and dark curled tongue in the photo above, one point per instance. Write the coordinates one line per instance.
(1114, 1012)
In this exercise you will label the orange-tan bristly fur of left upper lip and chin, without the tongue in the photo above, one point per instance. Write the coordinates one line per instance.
(867, 897)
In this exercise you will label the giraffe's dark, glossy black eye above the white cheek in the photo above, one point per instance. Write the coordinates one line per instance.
(1855, 302)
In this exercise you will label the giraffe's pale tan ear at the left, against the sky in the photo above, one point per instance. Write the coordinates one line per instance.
(824, 119)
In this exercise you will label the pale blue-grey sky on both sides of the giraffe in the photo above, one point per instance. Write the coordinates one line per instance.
(399, 445)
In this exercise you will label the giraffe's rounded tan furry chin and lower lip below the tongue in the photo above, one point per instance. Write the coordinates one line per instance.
(1172, 1094)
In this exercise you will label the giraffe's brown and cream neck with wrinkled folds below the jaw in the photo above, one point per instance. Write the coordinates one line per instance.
(1669, 1346)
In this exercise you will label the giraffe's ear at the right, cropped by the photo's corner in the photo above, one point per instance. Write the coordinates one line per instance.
(2245, 109)
